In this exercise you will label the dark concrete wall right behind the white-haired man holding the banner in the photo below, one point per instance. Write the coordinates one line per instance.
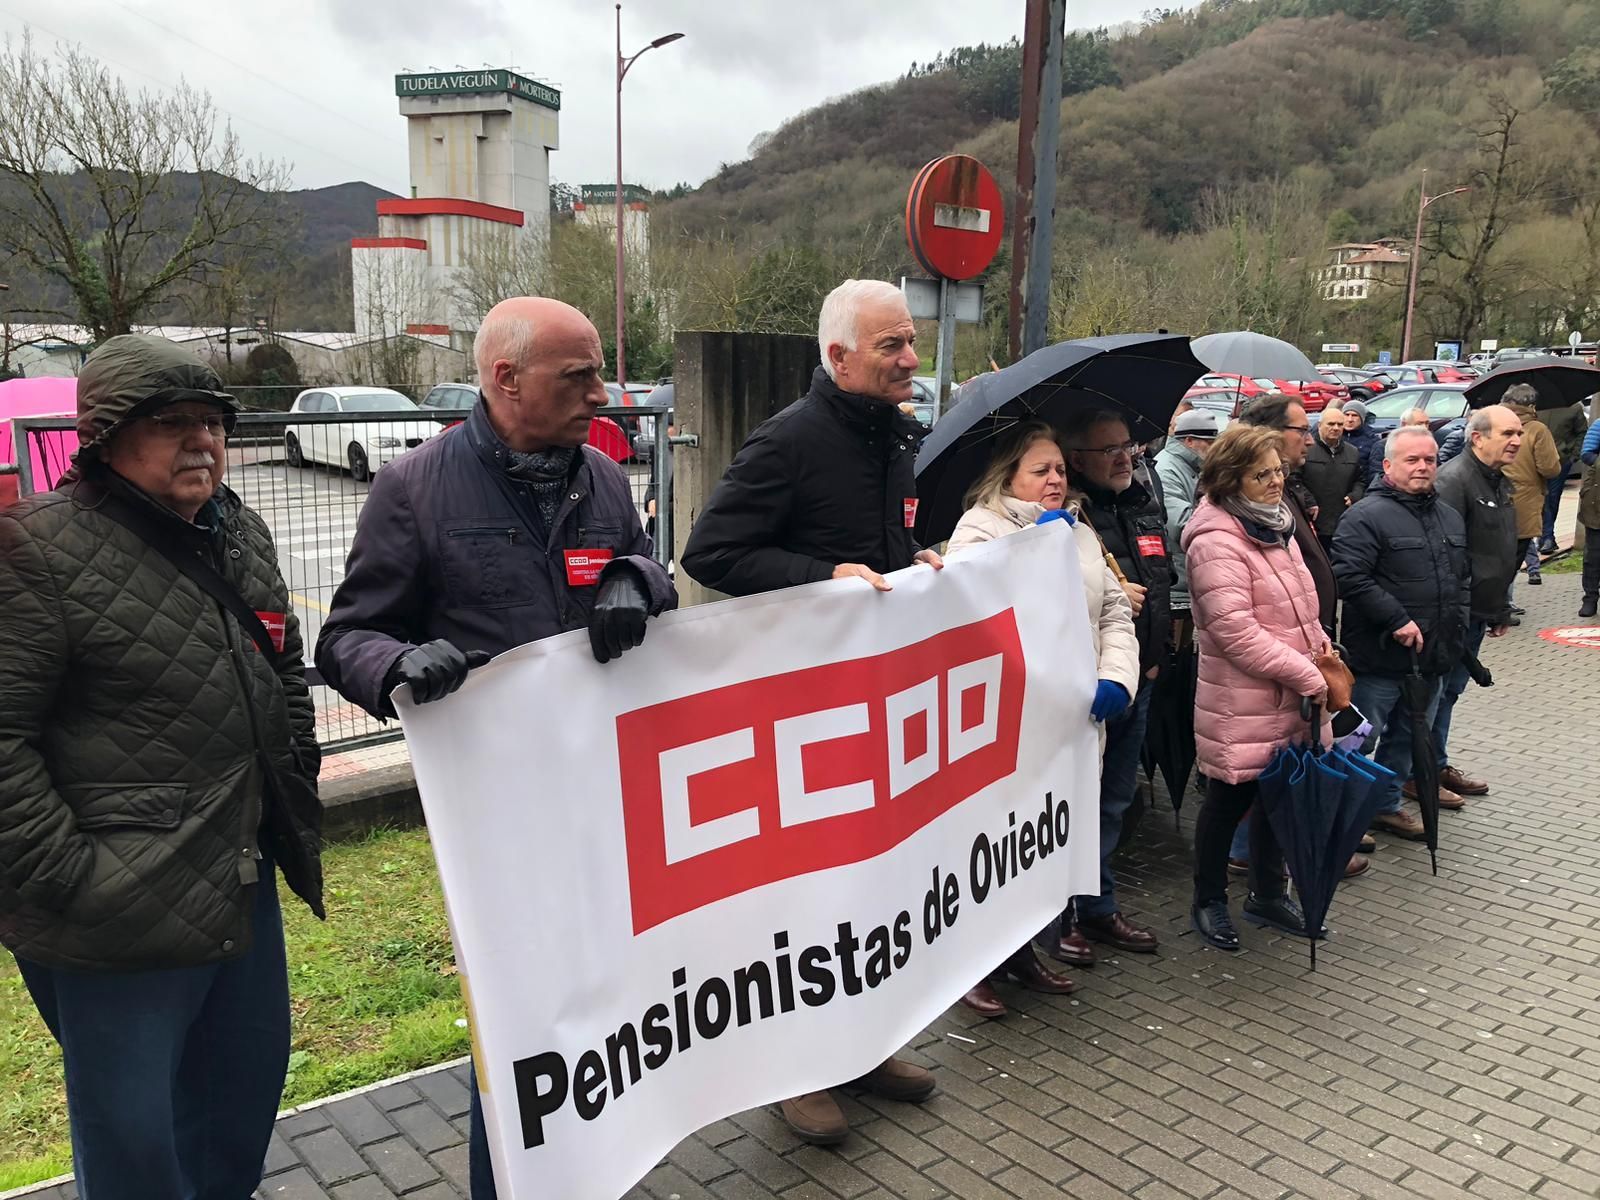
(726, 386)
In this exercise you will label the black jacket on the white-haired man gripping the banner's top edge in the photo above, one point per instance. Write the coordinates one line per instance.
(825, 482)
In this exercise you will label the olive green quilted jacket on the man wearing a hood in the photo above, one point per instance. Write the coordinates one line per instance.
(146, 745)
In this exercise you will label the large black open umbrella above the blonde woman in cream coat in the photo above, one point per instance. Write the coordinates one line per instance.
(1138, 375)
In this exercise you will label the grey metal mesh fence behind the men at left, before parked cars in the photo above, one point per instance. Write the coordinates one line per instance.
(303, 476)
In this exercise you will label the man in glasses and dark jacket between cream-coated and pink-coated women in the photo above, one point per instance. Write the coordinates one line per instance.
(1132, 526)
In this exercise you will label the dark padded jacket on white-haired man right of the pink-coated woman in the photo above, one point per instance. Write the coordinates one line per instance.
(1399, 559)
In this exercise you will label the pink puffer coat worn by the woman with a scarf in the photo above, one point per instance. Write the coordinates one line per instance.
(1255, 609)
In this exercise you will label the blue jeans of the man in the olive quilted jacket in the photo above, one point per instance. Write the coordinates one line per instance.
(174, 1076)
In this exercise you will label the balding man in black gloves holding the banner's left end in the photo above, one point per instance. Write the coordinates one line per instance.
(500, 532)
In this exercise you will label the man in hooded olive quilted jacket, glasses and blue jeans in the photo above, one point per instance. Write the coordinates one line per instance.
(158, 770)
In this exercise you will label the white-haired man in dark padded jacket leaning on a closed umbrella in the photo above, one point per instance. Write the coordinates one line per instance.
(1401, 559)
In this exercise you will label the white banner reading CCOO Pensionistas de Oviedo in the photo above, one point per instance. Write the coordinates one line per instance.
(758, 855)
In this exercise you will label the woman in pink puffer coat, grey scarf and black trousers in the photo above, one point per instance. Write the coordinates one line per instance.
(1255, 610)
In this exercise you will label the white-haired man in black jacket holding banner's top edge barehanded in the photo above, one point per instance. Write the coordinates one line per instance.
(826, 490)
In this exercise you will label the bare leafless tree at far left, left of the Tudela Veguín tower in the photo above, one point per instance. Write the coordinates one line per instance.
(122, 198)
